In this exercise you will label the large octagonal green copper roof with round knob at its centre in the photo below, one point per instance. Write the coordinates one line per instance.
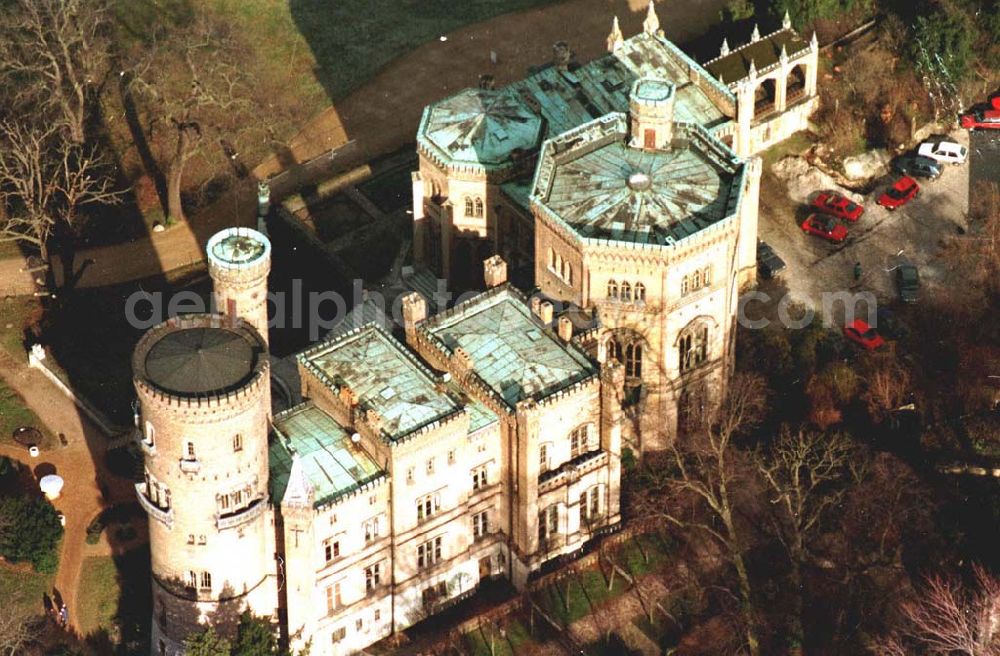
(594, 182)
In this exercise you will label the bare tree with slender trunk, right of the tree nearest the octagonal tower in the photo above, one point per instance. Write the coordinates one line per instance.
(803, 471)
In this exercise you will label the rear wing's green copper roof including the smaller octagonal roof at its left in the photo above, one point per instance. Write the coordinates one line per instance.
(565, 100)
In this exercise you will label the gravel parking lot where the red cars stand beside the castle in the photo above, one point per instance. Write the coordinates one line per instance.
(881, 239)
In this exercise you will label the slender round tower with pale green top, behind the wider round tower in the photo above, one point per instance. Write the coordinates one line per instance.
(239, 260)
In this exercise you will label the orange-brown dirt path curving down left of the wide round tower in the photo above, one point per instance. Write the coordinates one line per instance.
(81, 499)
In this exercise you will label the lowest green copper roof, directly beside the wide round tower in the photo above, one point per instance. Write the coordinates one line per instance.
(332, 465)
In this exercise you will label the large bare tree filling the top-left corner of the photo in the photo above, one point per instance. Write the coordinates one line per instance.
(55, 54)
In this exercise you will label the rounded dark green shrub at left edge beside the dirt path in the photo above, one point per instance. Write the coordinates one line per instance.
(33, 534)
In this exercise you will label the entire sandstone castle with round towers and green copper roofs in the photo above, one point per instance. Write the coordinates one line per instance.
(483, 440)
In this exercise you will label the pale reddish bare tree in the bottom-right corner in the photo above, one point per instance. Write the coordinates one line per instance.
(948, 618)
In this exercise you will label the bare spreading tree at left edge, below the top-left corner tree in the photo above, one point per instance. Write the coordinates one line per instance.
(45, 178)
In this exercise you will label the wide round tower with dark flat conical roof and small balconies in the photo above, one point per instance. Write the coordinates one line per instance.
(202, 383)
